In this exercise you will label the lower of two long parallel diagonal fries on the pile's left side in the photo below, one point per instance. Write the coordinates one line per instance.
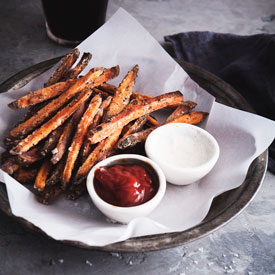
(42, 132)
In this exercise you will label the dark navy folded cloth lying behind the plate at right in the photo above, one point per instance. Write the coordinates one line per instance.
(247, 63)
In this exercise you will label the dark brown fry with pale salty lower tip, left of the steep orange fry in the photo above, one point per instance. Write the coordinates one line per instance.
(66, 135)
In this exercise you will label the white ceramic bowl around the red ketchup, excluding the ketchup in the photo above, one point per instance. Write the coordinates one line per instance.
(126, 214)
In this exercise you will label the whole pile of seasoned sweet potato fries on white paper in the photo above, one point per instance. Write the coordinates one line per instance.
(76, 121)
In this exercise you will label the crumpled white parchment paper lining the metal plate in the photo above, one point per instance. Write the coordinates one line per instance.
(242, 137)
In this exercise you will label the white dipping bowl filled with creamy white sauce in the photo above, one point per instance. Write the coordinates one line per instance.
(185, 153)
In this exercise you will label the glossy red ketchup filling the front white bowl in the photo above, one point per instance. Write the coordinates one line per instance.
(125, 184)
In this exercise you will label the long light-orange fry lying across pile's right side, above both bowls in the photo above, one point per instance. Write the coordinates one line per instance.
(132, 113)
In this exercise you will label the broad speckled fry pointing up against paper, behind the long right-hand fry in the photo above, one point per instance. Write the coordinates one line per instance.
(122, 96)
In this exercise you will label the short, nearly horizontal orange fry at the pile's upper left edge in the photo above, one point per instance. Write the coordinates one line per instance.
(41, 95)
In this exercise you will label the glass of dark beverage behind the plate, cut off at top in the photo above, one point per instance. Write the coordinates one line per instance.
(70, 22)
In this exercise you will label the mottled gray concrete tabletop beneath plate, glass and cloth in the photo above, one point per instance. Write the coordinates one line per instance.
(244, 246)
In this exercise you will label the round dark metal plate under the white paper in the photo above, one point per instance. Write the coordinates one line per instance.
(224, 207)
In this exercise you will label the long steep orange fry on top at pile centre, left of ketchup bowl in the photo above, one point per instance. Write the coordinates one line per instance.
(82, 128)
